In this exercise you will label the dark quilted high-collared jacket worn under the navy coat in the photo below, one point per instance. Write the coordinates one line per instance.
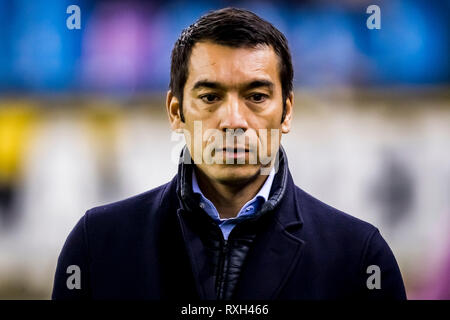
(227, 256)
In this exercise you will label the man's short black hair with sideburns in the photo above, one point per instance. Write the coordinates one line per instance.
(235, 28)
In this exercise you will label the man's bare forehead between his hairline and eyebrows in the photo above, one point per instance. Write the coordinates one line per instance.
(232, 66)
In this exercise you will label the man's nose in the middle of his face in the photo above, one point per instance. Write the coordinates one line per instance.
(233, 115)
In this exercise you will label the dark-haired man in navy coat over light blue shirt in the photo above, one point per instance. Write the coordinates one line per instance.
(231, 224)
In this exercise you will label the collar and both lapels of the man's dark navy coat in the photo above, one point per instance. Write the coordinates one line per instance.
(275, 252)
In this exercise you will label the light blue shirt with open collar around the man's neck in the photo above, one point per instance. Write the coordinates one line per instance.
(249, 209)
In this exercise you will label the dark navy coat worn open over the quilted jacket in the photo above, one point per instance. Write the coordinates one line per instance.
(144, 248)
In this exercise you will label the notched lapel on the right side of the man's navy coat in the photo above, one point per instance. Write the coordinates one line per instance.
(275, 254)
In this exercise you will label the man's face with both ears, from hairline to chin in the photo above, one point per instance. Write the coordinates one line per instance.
(232, 89)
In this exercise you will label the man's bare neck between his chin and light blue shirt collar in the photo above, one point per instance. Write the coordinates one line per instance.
(229, 198)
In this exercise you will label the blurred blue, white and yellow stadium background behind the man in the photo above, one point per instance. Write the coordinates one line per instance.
(83, 123)
